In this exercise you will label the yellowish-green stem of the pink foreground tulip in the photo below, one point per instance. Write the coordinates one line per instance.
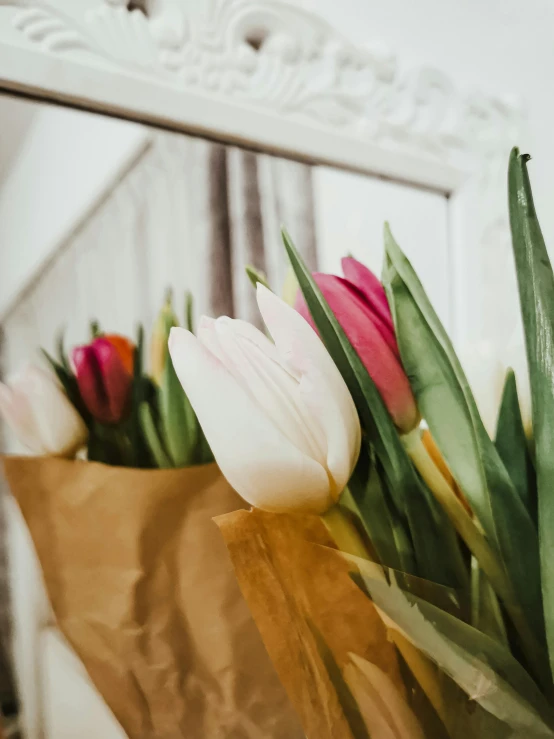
(477, 543)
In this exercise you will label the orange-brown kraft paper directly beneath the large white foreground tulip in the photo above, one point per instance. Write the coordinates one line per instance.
(297, 590)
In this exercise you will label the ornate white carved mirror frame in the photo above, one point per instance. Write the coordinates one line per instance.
(273, 77)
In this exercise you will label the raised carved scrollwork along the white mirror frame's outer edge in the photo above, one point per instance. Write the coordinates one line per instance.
(269, 56)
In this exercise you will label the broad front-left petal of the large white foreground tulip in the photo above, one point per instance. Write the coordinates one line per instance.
(257, 459)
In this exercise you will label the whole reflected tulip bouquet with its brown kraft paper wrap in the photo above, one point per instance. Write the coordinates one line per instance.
(137, 575)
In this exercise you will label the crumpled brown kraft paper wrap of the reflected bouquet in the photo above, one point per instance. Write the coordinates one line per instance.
(142, 587)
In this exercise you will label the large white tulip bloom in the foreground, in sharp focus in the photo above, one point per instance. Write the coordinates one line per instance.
(278, 417)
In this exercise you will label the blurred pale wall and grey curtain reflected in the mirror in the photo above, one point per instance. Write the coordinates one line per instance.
(98, 218)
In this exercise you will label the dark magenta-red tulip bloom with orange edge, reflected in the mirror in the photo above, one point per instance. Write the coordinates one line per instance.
(104, 372)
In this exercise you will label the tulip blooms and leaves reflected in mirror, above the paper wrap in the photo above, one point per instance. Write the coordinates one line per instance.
(102, 401)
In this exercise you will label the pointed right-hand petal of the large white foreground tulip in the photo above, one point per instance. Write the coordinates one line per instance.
(322, 386)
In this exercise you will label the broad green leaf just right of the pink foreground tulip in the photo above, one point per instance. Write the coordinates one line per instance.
(446, 402)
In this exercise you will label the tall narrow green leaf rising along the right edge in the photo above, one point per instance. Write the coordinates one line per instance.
(536, 293)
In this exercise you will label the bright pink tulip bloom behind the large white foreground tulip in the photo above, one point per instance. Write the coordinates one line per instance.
(360, 304)
